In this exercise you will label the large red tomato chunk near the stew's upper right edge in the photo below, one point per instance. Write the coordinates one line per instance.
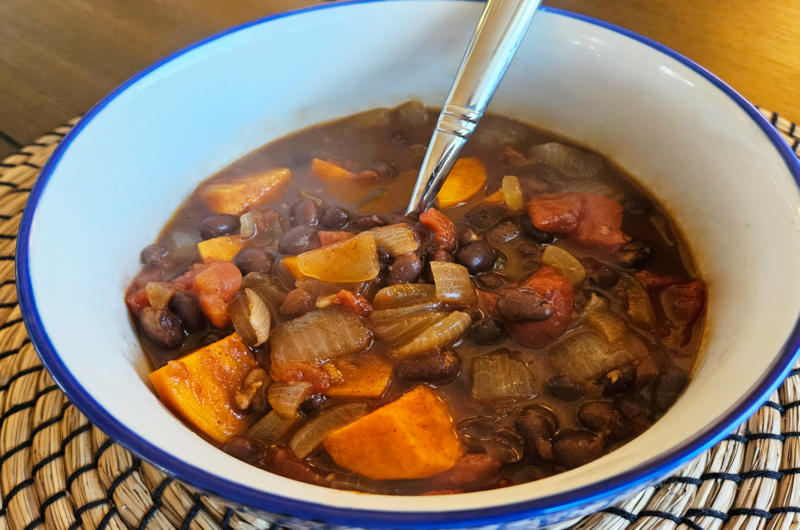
(585, 218)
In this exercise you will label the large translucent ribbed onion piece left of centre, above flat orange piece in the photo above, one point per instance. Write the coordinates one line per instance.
(318, 336)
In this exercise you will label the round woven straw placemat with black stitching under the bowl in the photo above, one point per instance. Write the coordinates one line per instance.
(58, 471)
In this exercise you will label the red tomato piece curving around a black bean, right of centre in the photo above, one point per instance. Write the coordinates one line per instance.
(556, 291)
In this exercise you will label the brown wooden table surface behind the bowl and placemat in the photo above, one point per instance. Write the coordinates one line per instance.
(59, 57)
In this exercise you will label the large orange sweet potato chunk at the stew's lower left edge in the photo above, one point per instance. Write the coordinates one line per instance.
(200, 387)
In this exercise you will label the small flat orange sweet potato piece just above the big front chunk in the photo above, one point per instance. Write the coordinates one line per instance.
(365, 376)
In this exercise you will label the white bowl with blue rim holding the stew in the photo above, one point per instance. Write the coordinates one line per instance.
(726, 176)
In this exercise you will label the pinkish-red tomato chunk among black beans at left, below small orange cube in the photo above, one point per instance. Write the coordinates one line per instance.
(216, 284)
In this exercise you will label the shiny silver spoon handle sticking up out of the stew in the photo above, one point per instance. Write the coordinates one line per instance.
(497, 37)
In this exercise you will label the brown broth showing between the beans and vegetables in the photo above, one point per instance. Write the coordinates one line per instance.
(402, 144)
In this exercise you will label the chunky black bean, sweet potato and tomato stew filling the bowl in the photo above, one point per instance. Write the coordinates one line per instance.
(541, 315)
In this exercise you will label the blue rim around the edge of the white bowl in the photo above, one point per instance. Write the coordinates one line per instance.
(594, 494)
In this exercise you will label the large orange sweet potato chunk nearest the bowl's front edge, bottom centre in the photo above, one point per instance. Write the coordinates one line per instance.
(412, 437)
